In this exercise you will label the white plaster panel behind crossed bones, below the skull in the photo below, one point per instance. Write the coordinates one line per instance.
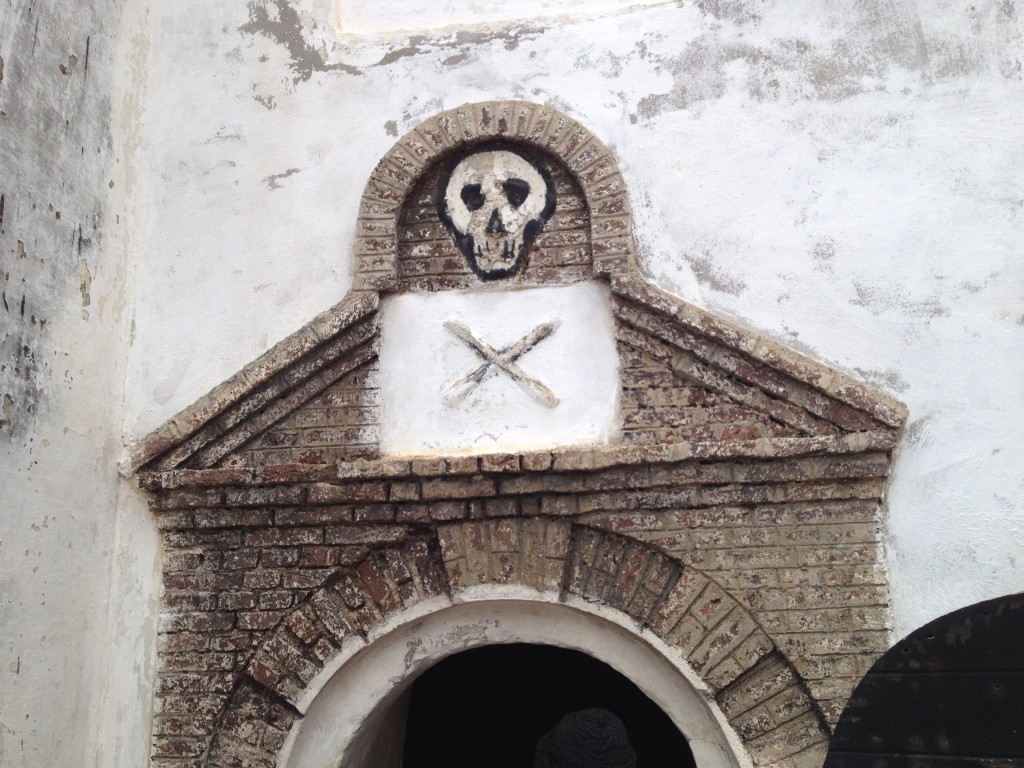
(422, 362)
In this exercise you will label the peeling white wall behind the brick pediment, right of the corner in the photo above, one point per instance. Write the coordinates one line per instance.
(844, 180)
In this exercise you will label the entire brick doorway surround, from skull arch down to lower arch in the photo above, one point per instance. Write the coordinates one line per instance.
(744, 487)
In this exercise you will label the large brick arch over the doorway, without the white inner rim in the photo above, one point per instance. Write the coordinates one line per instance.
(755, 688)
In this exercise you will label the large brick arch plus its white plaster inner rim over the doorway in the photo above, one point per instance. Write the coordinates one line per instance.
(739, 689)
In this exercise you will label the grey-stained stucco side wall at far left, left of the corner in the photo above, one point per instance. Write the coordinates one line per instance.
(74, 595)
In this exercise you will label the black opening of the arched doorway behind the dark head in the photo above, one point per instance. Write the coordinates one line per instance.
(488, 708)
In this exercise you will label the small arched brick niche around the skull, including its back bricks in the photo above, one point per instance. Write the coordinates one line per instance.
(399, 245)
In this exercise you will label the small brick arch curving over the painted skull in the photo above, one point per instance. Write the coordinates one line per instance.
(552, 133)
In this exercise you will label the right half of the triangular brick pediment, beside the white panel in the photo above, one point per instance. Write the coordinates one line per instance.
(726, 382)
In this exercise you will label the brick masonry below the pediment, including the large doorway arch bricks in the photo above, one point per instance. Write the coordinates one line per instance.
(790, 543)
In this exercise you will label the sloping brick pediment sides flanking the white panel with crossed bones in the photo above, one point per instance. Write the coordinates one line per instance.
(686, 376)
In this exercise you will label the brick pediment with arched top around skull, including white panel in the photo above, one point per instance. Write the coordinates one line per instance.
(685, 375)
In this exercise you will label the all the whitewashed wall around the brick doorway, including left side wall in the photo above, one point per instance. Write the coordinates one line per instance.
(845, 178)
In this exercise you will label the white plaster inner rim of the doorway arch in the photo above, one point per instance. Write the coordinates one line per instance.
(350, 691)
